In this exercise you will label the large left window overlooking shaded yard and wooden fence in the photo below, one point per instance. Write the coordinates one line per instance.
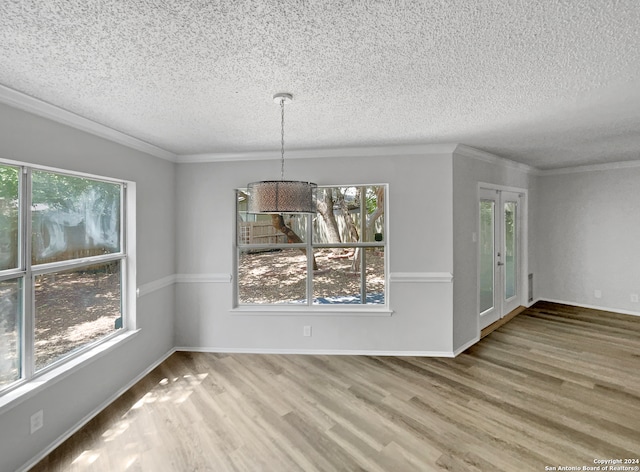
(62, 266)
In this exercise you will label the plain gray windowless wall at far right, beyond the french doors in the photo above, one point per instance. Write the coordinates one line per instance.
(588, 238)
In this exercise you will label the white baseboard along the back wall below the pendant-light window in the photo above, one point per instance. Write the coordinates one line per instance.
(317, 352)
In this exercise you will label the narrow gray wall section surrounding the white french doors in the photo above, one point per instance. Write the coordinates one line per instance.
(468, 171)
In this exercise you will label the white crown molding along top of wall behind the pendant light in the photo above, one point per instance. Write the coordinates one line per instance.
(365, 151)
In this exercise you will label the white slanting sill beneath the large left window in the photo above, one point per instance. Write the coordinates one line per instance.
(23, 392)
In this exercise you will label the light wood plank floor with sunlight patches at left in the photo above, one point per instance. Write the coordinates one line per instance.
(556, 386)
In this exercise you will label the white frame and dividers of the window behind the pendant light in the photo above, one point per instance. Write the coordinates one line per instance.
(361, 309)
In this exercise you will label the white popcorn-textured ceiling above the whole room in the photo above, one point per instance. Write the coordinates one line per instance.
(546, 83)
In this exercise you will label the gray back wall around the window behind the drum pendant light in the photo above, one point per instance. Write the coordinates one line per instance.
(420, 239)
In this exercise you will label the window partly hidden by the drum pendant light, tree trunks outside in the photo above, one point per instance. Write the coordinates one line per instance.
(335, 256)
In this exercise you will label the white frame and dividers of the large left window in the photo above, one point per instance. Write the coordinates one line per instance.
(61, 367)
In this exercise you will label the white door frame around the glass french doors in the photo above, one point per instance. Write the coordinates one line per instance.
(523, 218)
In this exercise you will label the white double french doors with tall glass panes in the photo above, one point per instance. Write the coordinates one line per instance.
(500, 254)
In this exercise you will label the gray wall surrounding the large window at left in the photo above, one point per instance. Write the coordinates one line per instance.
(36, 140)
